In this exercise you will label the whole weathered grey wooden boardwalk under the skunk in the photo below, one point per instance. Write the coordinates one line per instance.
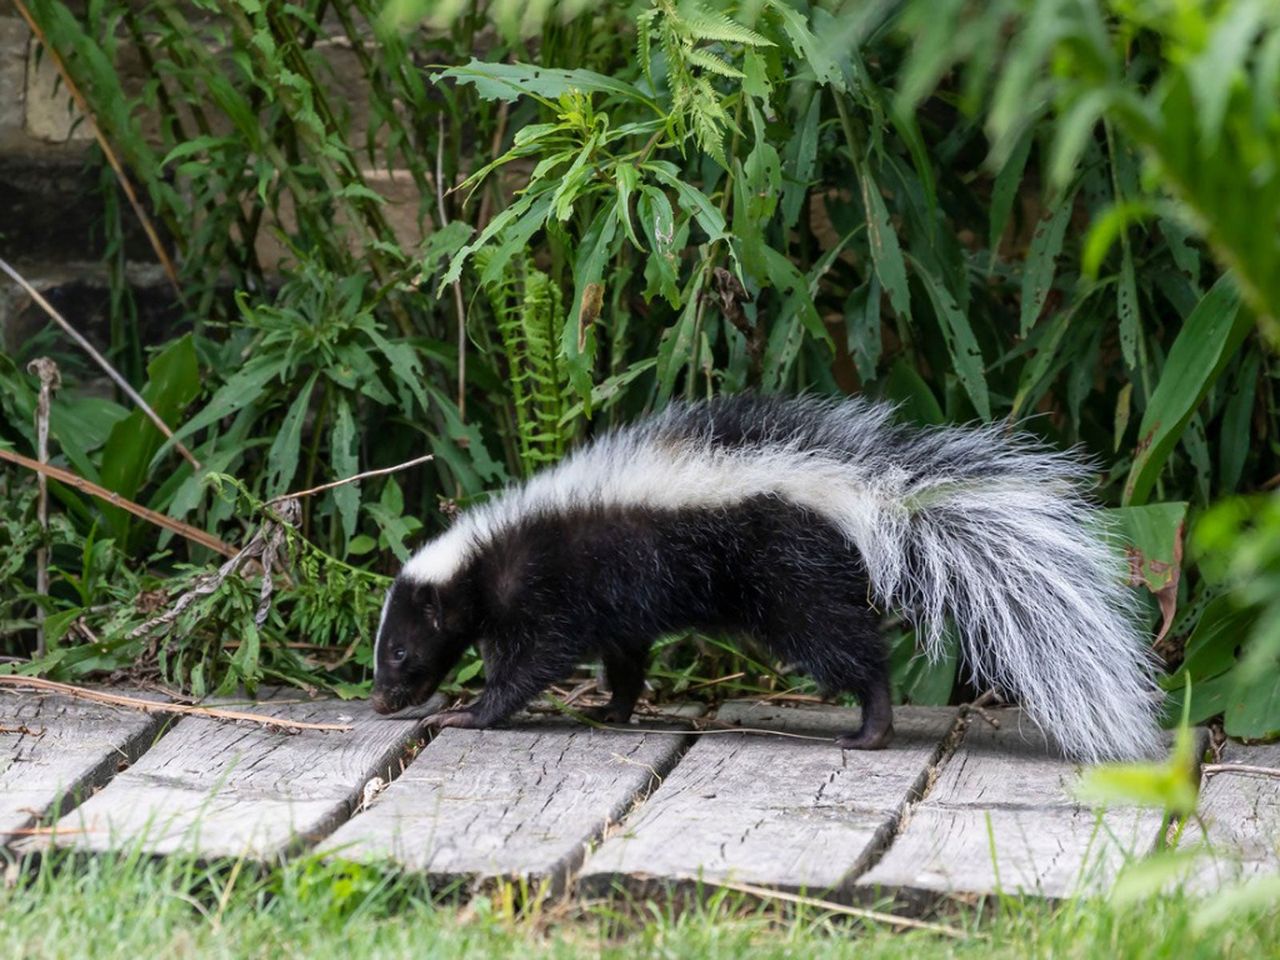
(932, 816)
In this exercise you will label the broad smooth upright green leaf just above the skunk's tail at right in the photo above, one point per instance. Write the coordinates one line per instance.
(1200, 354)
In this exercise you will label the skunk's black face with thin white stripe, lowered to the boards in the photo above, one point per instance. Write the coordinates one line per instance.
(418, 644)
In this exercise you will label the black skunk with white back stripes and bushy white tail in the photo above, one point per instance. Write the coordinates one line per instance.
(794, 522)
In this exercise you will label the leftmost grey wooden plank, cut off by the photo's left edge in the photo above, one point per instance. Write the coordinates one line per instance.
(54, 749)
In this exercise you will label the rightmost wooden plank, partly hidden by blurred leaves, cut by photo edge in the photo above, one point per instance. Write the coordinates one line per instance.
(1242, 821)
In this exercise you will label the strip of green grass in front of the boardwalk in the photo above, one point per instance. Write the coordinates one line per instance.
(141, 908)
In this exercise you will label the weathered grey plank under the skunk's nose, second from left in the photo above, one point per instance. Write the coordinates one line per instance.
(217, 789)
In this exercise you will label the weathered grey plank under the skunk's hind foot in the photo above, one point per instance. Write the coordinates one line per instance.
(778, 812)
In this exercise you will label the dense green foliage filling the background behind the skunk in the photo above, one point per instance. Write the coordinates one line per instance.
(1055, 212)
